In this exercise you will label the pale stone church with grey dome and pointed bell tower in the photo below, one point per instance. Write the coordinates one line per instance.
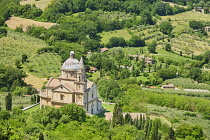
(71, 87)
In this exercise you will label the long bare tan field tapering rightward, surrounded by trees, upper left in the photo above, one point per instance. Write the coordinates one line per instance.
(14, 22)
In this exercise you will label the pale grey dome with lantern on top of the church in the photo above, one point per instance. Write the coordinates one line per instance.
(71, 63)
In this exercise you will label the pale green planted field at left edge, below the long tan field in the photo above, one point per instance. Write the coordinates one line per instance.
(14, 45)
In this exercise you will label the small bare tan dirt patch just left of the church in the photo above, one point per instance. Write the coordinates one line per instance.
(35, 81)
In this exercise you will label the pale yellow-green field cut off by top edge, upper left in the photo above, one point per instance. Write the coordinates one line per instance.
(42, 4)
